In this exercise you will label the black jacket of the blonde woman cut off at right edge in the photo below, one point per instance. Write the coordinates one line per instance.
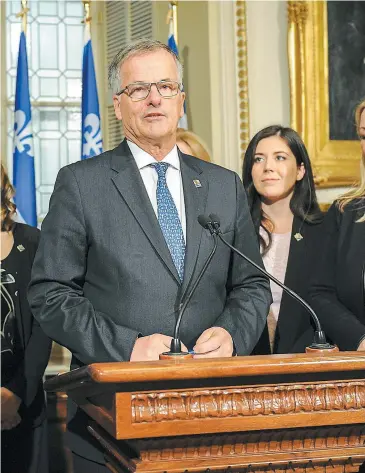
(338, 290)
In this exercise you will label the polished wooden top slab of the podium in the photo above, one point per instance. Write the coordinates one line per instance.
(194, 369)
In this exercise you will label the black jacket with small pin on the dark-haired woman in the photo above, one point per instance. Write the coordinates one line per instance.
(295, 329)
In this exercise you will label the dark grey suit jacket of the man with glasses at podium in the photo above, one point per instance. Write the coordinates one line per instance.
(103, 273)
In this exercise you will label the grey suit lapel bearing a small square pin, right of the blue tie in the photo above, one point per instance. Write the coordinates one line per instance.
(195, 195)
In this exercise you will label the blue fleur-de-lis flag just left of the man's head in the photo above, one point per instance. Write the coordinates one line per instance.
(91, 140)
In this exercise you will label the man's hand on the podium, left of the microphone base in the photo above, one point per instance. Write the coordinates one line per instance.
(149, 348)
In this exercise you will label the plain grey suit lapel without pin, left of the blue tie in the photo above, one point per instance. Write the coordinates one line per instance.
(130, 185)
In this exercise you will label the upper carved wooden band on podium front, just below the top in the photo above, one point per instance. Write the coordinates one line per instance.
(253, 401)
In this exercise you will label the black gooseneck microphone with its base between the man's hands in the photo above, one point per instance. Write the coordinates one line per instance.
(175, 347)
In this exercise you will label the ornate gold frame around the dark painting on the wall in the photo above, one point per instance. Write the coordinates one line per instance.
(336, 162)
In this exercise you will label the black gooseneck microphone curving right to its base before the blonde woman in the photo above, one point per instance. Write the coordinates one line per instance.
(319, 343)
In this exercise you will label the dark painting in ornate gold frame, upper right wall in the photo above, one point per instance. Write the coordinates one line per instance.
(326, 44)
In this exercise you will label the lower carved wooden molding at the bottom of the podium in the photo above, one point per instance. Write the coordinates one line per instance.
(341, 449)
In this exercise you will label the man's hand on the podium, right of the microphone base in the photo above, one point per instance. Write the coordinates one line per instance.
(213, 343)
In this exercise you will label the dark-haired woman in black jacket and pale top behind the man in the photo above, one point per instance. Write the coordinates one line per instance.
(278, 179)
